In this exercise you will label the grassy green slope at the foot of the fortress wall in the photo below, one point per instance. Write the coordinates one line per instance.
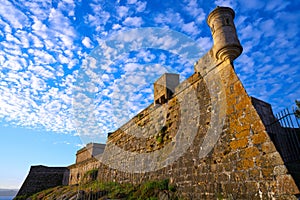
(147, 191)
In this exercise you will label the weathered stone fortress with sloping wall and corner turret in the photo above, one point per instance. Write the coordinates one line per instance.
(206, 135)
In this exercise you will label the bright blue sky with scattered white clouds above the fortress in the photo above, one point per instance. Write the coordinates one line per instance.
(72, 71)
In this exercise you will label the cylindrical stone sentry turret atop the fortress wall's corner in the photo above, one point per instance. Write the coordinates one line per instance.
(226, 42)
